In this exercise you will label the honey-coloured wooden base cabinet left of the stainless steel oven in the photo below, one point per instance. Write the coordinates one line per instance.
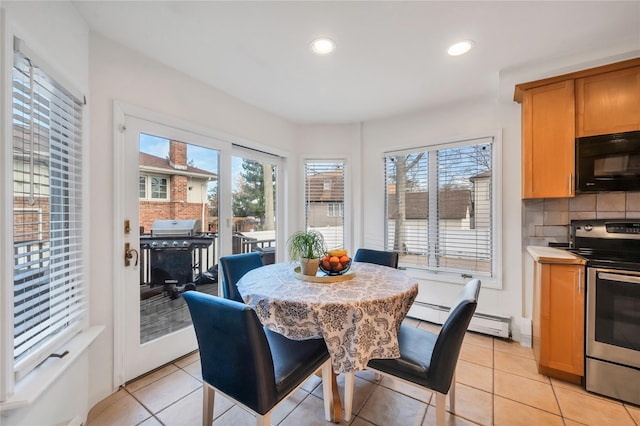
(558, 315)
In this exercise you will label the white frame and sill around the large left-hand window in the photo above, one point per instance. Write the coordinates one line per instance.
(21, 385)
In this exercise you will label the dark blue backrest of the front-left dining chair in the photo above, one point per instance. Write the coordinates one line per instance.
(234, 352)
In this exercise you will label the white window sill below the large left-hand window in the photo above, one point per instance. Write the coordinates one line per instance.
(29, 389)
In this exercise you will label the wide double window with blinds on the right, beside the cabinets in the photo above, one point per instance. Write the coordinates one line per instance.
(439, 207)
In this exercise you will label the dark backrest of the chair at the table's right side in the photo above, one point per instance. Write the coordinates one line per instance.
(445, 353)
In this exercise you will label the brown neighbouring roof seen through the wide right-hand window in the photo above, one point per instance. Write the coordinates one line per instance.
(453, 204)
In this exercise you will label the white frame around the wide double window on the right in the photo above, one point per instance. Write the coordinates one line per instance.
(495, 280)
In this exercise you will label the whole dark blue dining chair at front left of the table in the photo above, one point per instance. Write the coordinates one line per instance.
(248, 363)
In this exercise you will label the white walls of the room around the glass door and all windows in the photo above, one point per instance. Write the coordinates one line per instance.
(117, 73)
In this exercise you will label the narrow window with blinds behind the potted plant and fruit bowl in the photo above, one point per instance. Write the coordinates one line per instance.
(324, 200)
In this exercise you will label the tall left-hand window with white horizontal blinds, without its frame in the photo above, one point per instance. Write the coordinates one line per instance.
(48, 282)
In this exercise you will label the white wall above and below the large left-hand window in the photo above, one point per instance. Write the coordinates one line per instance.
(60, 37)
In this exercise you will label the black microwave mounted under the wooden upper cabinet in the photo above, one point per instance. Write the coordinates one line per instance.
(608, 162)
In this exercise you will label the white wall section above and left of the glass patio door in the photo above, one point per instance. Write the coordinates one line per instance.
(120, 74)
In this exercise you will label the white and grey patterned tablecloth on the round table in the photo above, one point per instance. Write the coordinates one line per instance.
(359, 319)
